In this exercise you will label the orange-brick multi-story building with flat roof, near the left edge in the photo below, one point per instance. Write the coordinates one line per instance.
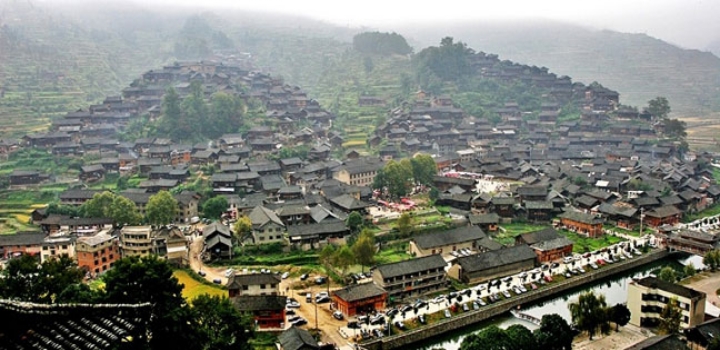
(97, 253)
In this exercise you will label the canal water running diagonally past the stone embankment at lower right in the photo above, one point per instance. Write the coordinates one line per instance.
(613, 288)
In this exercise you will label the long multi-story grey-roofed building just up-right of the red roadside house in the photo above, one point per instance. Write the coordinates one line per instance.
(412, 278)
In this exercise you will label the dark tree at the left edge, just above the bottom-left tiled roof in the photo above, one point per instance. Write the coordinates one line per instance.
(26, 279)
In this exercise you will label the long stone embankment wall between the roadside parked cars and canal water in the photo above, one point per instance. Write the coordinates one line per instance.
(472, 317)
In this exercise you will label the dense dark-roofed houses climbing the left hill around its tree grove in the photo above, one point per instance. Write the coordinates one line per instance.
(295, 119)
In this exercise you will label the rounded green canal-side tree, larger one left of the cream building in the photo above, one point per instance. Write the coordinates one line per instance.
(589, 314)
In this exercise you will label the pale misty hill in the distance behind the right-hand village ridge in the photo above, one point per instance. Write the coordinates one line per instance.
(638, 66)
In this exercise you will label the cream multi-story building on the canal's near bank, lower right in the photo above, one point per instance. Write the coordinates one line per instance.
(648, 297)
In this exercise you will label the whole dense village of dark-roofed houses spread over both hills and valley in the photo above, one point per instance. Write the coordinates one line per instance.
(612, 167)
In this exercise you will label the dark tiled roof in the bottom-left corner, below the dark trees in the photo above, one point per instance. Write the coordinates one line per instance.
(70, 326)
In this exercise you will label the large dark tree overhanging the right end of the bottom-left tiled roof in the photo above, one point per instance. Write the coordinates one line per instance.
(149, 279)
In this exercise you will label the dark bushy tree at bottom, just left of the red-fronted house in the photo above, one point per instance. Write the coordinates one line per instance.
(221, 326)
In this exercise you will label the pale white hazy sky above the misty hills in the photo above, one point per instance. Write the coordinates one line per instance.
(688, 23)
